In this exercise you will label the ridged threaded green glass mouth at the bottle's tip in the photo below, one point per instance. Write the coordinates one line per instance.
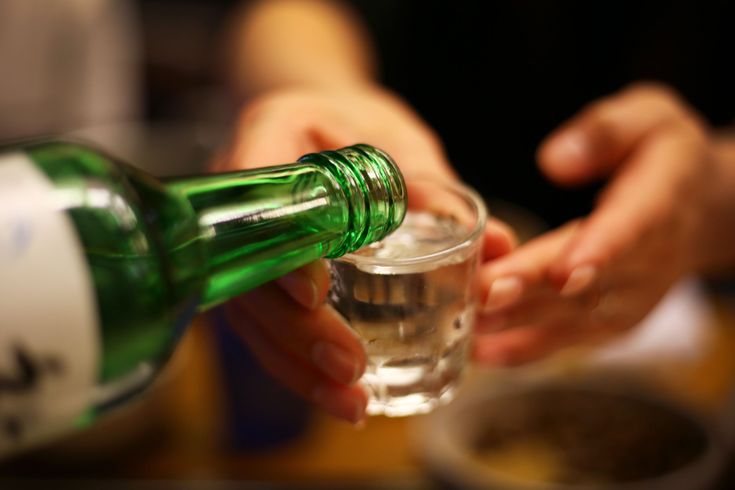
(375, 190)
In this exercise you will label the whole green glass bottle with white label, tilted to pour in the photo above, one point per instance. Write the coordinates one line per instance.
(102, 266)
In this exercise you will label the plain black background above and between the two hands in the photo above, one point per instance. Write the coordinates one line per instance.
(494, 78)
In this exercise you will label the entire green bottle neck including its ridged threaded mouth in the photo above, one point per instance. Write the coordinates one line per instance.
(256, 225)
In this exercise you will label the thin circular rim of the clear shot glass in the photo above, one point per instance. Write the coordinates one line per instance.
(464, 191)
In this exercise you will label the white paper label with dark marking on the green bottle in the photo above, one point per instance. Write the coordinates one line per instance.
(49, 337)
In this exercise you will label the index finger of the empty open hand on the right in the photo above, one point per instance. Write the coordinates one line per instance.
(647, 196)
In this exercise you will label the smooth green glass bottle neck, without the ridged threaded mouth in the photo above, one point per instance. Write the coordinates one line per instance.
(259, 224)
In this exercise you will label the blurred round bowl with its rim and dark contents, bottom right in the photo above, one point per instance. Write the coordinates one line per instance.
(602, 432)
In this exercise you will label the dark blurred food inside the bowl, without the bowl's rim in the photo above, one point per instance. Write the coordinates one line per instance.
(578, 437)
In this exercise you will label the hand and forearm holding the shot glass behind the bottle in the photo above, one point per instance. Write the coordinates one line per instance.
(305, 74)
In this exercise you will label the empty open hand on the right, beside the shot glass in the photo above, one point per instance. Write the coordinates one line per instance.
(666, 212)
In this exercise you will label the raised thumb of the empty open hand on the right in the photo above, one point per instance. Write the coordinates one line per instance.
(596, 141)
